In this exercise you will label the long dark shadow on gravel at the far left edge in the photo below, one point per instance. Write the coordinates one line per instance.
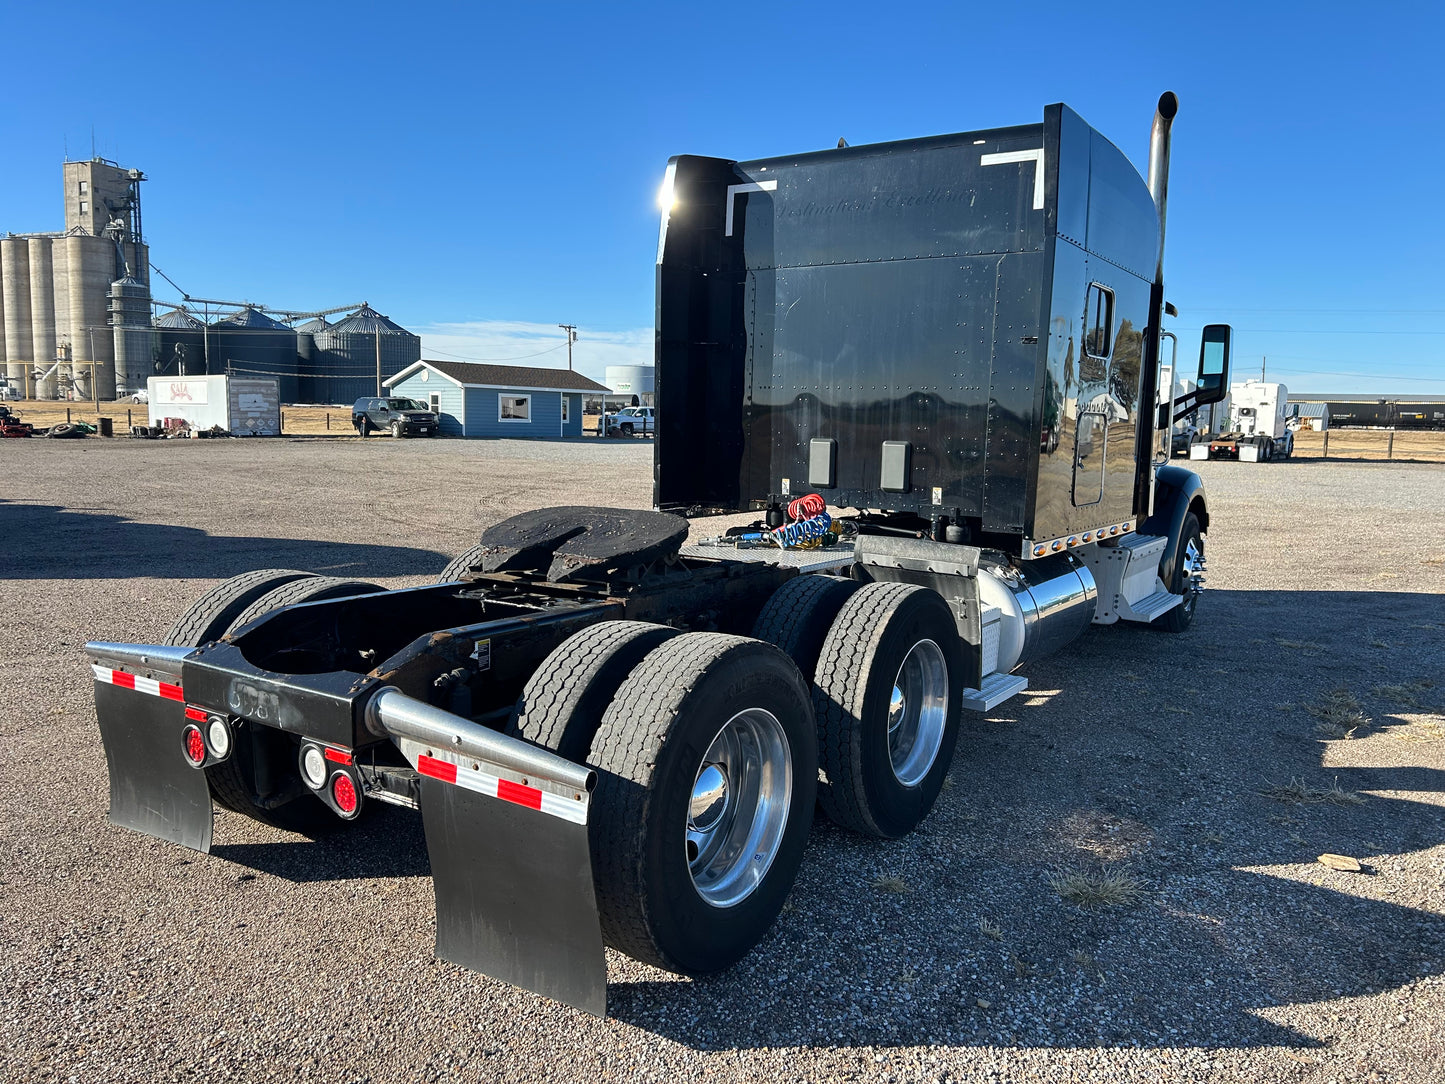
(53, 543)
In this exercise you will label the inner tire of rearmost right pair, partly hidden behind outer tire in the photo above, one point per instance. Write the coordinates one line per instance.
(564, 700)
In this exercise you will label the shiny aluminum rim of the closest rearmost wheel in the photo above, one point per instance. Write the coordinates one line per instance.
(738, 812)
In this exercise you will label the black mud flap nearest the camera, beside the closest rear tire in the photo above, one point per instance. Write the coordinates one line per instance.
(515, 894)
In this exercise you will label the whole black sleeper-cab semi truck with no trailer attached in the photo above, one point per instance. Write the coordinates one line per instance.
(931, 368)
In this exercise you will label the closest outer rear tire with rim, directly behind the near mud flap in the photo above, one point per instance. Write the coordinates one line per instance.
(707, 775)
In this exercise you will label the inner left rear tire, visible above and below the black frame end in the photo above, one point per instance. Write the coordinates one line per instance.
(235, 781)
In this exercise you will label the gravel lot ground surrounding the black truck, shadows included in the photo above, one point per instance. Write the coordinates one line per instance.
(946, 956)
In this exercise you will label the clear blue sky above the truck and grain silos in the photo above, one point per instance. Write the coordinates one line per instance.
(483, 173)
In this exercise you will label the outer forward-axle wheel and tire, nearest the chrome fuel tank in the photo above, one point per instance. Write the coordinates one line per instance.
(888, 699)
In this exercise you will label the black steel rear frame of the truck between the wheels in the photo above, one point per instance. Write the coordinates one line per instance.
(467, 648)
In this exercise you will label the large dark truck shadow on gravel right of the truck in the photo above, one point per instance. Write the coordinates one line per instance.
(1170, 762)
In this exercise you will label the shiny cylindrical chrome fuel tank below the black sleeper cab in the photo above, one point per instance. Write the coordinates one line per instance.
(1044, 605)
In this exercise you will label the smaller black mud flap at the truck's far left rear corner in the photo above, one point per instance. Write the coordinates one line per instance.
(152, 788)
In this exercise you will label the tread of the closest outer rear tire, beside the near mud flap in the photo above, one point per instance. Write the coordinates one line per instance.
(626, 749)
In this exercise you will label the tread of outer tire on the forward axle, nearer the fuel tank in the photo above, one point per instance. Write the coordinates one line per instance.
(839, 690)
